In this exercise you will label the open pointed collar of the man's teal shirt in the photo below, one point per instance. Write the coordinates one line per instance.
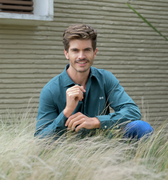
(68, 81)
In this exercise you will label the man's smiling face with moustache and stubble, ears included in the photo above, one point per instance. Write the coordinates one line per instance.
(80, 55)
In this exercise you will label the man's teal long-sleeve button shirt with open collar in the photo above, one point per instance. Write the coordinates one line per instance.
(102, 90)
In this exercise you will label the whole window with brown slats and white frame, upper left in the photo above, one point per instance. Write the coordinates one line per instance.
(26, 12)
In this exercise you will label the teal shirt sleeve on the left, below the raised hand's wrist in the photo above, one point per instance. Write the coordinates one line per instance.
(49, 121)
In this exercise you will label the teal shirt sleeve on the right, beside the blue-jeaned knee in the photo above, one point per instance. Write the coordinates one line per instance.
(125, 110)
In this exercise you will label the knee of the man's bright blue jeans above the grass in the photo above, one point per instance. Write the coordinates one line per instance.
(137, 129)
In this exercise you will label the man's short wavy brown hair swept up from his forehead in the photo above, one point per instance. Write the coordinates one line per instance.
(79, 31)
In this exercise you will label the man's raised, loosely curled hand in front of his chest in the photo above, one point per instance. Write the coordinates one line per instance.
(73, 96)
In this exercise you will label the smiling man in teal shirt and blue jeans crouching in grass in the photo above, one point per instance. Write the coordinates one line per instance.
(79, 98)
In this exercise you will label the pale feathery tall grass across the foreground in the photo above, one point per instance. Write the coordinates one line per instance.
(22, 157)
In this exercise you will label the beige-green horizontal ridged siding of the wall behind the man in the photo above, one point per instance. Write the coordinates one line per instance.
(128, 47)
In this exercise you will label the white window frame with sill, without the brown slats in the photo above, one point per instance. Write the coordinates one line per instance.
(43, 12)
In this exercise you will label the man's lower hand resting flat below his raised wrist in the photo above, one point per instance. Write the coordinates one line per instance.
(79, 120)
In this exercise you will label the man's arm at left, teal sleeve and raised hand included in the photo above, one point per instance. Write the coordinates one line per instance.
(49, 121)
